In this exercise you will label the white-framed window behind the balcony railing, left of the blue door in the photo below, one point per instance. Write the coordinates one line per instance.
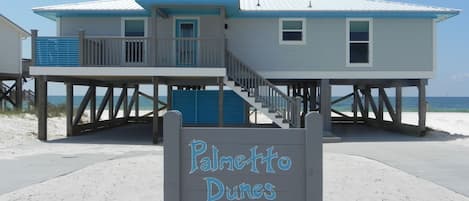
(134, 30)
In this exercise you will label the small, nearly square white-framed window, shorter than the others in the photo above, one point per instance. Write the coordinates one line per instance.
(292, 31)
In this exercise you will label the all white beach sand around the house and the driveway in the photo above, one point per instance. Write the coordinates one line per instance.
(141, 178)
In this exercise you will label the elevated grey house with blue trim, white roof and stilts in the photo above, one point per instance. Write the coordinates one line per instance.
(280, 57)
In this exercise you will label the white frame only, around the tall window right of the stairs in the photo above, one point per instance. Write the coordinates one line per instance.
(370, 42)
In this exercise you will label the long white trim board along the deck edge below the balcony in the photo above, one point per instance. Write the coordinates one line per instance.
(128, 71)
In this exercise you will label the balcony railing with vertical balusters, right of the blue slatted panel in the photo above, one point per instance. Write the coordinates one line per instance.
(143, 51)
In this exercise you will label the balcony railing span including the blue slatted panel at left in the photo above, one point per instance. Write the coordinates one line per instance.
(90, 51)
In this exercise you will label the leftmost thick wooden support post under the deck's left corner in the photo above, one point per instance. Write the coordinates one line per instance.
(42, 107)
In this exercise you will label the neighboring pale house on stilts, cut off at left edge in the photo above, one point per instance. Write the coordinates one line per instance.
(11, 37)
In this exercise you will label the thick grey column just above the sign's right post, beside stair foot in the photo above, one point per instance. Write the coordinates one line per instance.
(325, 108)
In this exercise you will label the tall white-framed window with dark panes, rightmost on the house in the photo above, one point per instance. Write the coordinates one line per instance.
(359, 42)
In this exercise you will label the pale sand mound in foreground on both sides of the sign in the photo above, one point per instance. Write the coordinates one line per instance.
(141, 178)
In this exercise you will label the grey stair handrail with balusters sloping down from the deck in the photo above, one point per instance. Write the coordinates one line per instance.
(263, 91)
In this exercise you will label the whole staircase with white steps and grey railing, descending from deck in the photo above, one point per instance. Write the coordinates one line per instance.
(284, 111)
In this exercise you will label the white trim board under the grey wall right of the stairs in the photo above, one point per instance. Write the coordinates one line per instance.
(347, 74)
